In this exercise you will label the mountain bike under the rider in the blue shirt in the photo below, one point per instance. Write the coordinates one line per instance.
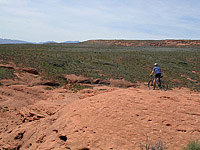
(159, 84)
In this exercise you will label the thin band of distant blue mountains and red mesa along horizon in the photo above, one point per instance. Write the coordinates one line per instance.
(133, 43)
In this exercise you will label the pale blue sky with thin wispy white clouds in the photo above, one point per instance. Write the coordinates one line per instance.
(64, 20)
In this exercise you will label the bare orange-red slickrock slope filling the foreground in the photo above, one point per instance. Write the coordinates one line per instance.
(102, 118)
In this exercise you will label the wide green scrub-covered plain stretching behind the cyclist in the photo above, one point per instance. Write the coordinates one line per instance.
(179, 65)
